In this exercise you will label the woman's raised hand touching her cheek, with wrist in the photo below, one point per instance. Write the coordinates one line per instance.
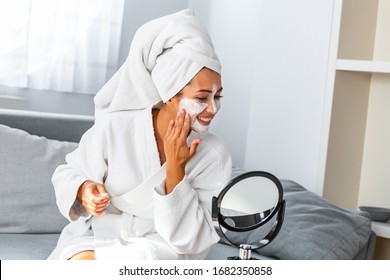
(177, 153)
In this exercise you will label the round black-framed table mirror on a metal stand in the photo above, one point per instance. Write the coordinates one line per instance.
(248, 202)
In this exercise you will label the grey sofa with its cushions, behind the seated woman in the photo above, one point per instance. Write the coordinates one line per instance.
(33, 144)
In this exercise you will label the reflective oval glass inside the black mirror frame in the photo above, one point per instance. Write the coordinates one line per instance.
(249, 202)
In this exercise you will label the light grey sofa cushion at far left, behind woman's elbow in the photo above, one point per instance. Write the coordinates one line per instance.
(27, 195)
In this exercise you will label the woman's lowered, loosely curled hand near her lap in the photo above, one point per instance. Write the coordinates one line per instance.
(94, 197)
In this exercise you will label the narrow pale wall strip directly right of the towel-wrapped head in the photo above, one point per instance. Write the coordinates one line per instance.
(233, 27)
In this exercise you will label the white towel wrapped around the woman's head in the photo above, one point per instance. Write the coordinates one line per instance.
(165, 54)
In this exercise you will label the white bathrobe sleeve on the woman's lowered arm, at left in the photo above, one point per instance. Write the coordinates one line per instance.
(87, 162)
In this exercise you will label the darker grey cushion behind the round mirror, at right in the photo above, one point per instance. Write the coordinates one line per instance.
(313, 228)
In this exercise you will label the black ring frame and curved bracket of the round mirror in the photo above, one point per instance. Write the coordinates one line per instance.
(279, 209)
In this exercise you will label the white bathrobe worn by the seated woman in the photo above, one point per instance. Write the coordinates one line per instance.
(142, 222)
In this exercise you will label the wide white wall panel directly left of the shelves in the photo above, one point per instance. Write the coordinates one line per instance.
(286, 127)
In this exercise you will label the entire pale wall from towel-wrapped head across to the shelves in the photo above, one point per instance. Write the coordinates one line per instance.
(275, 57)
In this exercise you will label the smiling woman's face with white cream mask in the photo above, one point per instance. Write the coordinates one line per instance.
(201, 99)
